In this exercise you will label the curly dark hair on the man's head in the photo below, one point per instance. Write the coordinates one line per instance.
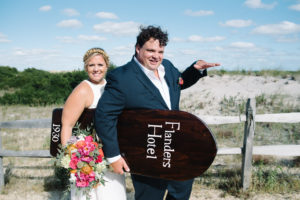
(151, 32)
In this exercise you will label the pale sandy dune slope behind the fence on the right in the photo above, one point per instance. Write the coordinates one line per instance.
(210, 90)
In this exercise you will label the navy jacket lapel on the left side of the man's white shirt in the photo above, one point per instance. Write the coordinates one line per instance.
(141, 76)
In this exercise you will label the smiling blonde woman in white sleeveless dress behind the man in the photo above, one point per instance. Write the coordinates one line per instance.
(86, 95)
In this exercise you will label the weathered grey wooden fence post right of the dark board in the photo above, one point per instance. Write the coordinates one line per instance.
(248, 143)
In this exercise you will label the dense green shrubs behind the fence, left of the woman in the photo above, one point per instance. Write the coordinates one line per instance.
(37, 87)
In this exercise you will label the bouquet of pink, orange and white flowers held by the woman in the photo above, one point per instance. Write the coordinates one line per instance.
(84, 159)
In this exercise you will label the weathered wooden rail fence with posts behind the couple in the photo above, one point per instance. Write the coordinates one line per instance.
(250, 118)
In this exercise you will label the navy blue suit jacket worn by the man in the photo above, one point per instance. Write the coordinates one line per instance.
(129, 88)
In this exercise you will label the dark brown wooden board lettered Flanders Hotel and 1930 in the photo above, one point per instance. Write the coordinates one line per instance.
(173, 145)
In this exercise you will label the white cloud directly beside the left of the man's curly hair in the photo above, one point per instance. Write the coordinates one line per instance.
(118, 28)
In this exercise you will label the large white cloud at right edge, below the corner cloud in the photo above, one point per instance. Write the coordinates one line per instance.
(282, 28)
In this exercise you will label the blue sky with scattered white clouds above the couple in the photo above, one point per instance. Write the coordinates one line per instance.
(240, 34)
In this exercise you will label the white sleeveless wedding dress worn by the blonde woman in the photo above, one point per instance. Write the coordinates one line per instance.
(114, 187)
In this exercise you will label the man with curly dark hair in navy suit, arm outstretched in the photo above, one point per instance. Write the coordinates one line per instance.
(146, 82)
